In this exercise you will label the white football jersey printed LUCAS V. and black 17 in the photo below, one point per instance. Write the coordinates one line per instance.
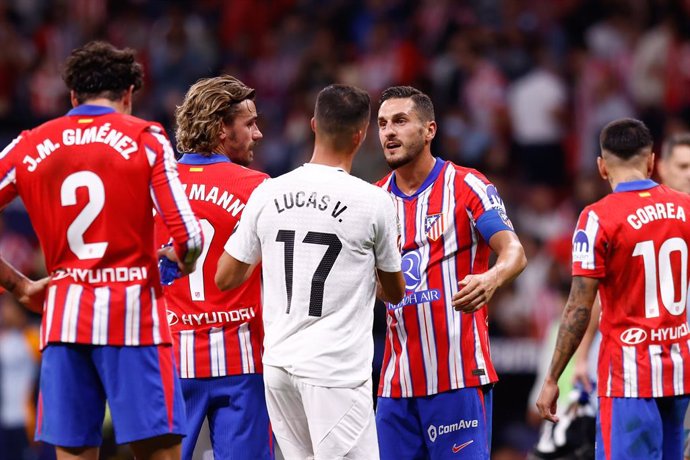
(320, 234)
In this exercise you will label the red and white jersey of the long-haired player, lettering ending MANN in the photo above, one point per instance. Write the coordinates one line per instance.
(215, 333)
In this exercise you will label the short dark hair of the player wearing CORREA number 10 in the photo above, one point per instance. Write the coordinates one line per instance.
(625, 138)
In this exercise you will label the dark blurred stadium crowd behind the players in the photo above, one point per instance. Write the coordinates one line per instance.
(521, 90)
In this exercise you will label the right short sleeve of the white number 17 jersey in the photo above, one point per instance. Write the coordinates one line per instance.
(387, 235)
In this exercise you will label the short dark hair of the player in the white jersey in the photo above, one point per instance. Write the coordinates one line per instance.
(340, 111)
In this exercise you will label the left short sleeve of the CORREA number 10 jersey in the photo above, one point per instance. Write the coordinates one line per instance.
(589, 246)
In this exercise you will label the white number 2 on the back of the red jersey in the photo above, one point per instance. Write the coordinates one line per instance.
(76, 230)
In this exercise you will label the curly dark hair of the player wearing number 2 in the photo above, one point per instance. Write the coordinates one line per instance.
(98, 69)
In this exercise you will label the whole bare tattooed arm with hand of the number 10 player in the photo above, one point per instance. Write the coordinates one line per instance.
(574, 323)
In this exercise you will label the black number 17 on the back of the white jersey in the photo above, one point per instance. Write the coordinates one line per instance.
(318, 281)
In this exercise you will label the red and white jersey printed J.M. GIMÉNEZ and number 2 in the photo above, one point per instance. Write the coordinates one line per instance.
(89, 181)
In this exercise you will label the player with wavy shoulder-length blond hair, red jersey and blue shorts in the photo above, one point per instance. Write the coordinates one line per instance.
(219, 355)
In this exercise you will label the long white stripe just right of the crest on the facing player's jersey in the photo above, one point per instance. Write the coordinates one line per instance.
(450, 284)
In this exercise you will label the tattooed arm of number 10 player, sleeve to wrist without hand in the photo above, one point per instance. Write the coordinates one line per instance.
(573, 323)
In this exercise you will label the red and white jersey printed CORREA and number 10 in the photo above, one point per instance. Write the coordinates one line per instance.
(635, 241)
